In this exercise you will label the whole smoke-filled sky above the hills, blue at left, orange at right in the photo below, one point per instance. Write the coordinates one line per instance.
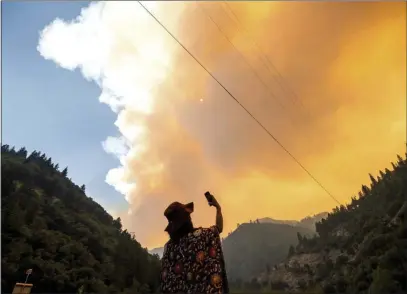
(336, 101)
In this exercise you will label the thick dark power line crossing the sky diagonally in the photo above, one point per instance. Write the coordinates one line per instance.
(244, 108)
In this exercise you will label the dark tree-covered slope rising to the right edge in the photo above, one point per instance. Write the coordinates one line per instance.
(361, 247)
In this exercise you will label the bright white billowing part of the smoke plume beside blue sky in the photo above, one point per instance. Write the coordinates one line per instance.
(120, 47)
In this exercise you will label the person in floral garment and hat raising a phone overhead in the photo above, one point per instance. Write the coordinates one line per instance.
(193, 259)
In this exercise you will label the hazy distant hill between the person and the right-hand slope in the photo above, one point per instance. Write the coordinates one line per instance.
(254, 247)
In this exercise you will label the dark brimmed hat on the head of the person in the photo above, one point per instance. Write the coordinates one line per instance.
(176, 214)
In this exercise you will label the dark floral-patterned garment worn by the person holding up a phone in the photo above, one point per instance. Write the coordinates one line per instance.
(195, 264)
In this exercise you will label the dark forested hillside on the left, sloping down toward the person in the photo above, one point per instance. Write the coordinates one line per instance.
(72, 244)
